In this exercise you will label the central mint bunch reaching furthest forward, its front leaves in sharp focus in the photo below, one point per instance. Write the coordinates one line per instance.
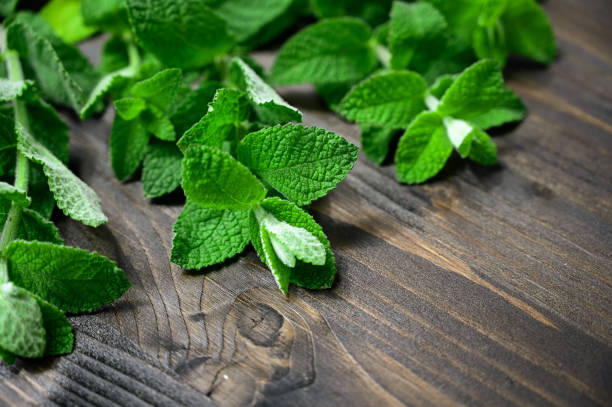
(202, 117)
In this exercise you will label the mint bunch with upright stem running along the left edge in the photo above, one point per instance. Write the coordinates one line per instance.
(40, 278)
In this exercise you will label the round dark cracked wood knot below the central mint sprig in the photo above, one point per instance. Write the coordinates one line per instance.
(260, 323)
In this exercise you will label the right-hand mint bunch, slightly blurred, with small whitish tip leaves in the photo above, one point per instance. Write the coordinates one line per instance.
(418, 72)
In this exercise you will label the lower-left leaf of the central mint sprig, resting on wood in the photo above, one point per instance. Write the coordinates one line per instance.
(204, 236)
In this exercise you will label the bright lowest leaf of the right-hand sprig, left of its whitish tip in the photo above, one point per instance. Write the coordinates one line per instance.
(423, 149)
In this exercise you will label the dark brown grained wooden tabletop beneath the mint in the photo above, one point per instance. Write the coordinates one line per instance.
(484, 287)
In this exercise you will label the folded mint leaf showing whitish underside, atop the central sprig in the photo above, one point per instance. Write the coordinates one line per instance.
(268, 105)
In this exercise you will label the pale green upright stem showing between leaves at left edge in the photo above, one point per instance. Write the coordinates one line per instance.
(22, 169)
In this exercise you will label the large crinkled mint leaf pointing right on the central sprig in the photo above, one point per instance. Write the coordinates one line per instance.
(302, 163)
